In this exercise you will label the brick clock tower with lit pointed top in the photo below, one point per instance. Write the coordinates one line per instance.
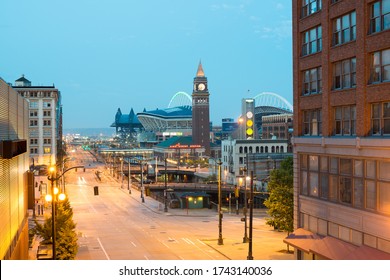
(201, 111)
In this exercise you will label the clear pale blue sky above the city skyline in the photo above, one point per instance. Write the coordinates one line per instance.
(131, 54)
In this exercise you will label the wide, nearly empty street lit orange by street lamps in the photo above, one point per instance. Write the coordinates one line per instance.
(116, 225)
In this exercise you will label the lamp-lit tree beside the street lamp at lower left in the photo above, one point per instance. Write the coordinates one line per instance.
(66, 236)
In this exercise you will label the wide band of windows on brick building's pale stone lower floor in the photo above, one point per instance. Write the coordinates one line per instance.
(353, 182)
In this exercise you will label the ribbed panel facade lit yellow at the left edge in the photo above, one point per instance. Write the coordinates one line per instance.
(14, 166)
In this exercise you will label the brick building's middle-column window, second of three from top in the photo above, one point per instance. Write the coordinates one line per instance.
(344, 74)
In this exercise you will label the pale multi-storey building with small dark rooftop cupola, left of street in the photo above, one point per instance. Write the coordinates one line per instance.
(45, 121)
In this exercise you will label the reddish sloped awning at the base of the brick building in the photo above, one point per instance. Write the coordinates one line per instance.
(332, 248)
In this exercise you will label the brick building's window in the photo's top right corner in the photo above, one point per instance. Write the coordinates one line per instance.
(380, 16)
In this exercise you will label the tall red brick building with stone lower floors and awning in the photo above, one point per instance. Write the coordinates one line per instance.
(341, 53)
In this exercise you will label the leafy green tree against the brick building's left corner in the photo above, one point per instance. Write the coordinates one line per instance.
(280, 202)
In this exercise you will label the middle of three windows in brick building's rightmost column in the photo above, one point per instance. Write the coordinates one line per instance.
(380, 66)
